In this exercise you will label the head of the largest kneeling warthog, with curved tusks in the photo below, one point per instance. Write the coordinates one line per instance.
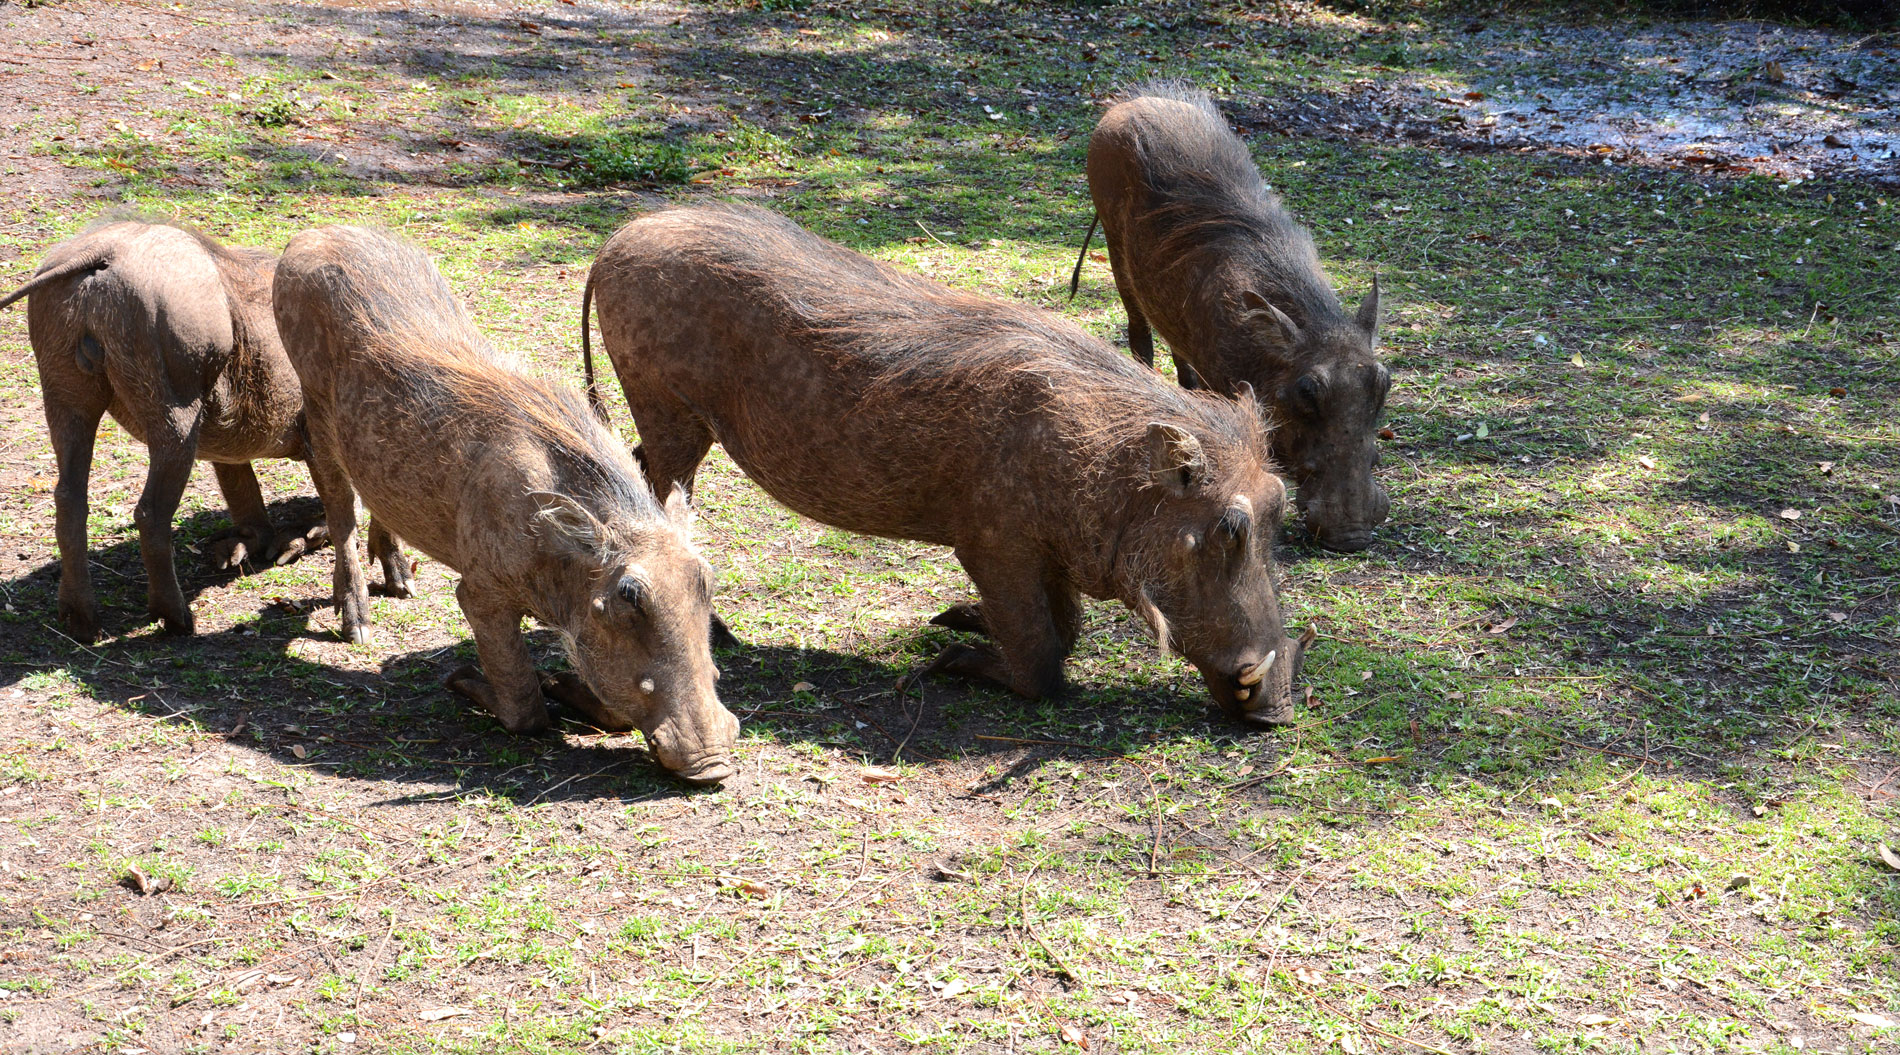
(1209, 579)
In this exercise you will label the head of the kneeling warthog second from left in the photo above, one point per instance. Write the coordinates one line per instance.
(639, 632)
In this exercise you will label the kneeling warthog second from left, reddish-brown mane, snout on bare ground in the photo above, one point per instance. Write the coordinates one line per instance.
(510, 482)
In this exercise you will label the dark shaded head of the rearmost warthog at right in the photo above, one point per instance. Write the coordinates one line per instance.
(1327, 419)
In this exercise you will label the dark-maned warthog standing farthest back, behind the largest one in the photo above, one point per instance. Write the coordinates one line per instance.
(1206, 256)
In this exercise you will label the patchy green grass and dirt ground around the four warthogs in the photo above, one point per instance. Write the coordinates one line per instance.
(1603, 731)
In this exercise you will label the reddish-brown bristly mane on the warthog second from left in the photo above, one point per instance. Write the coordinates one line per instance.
(404, 309)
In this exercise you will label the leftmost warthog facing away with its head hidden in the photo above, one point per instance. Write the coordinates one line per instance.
(172, 336)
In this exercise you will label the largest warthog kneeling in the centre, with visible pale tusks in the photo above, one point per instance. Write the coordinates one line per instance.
(892, 406)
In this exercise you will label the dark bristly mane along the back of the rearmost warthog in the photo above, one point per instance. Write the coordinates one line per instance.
(1217, 208)
